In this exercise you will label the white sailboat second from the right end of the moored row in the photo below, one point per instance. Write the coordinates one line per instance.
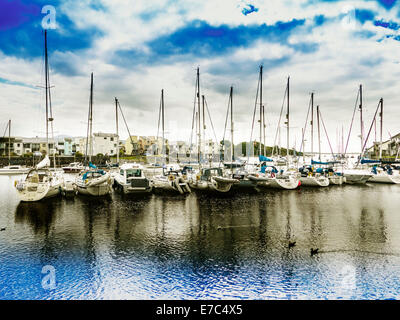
(356, 175)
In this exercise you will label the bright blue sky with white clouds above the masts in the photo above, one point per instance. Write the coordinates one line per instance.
(136, 48)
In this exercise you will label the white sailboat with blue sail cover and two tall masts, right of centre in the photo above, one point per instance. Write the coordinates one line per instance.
(269, 176)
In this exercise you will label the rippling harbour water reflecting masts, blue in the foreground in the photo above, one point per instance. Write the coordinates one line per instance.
(184, 247)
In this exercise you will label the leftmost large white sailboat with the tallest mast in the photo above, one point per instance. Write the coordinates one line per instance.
(40, 182)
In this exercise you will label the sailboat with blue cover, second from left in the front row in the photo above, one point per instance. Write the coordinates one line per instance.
(92, 181)
